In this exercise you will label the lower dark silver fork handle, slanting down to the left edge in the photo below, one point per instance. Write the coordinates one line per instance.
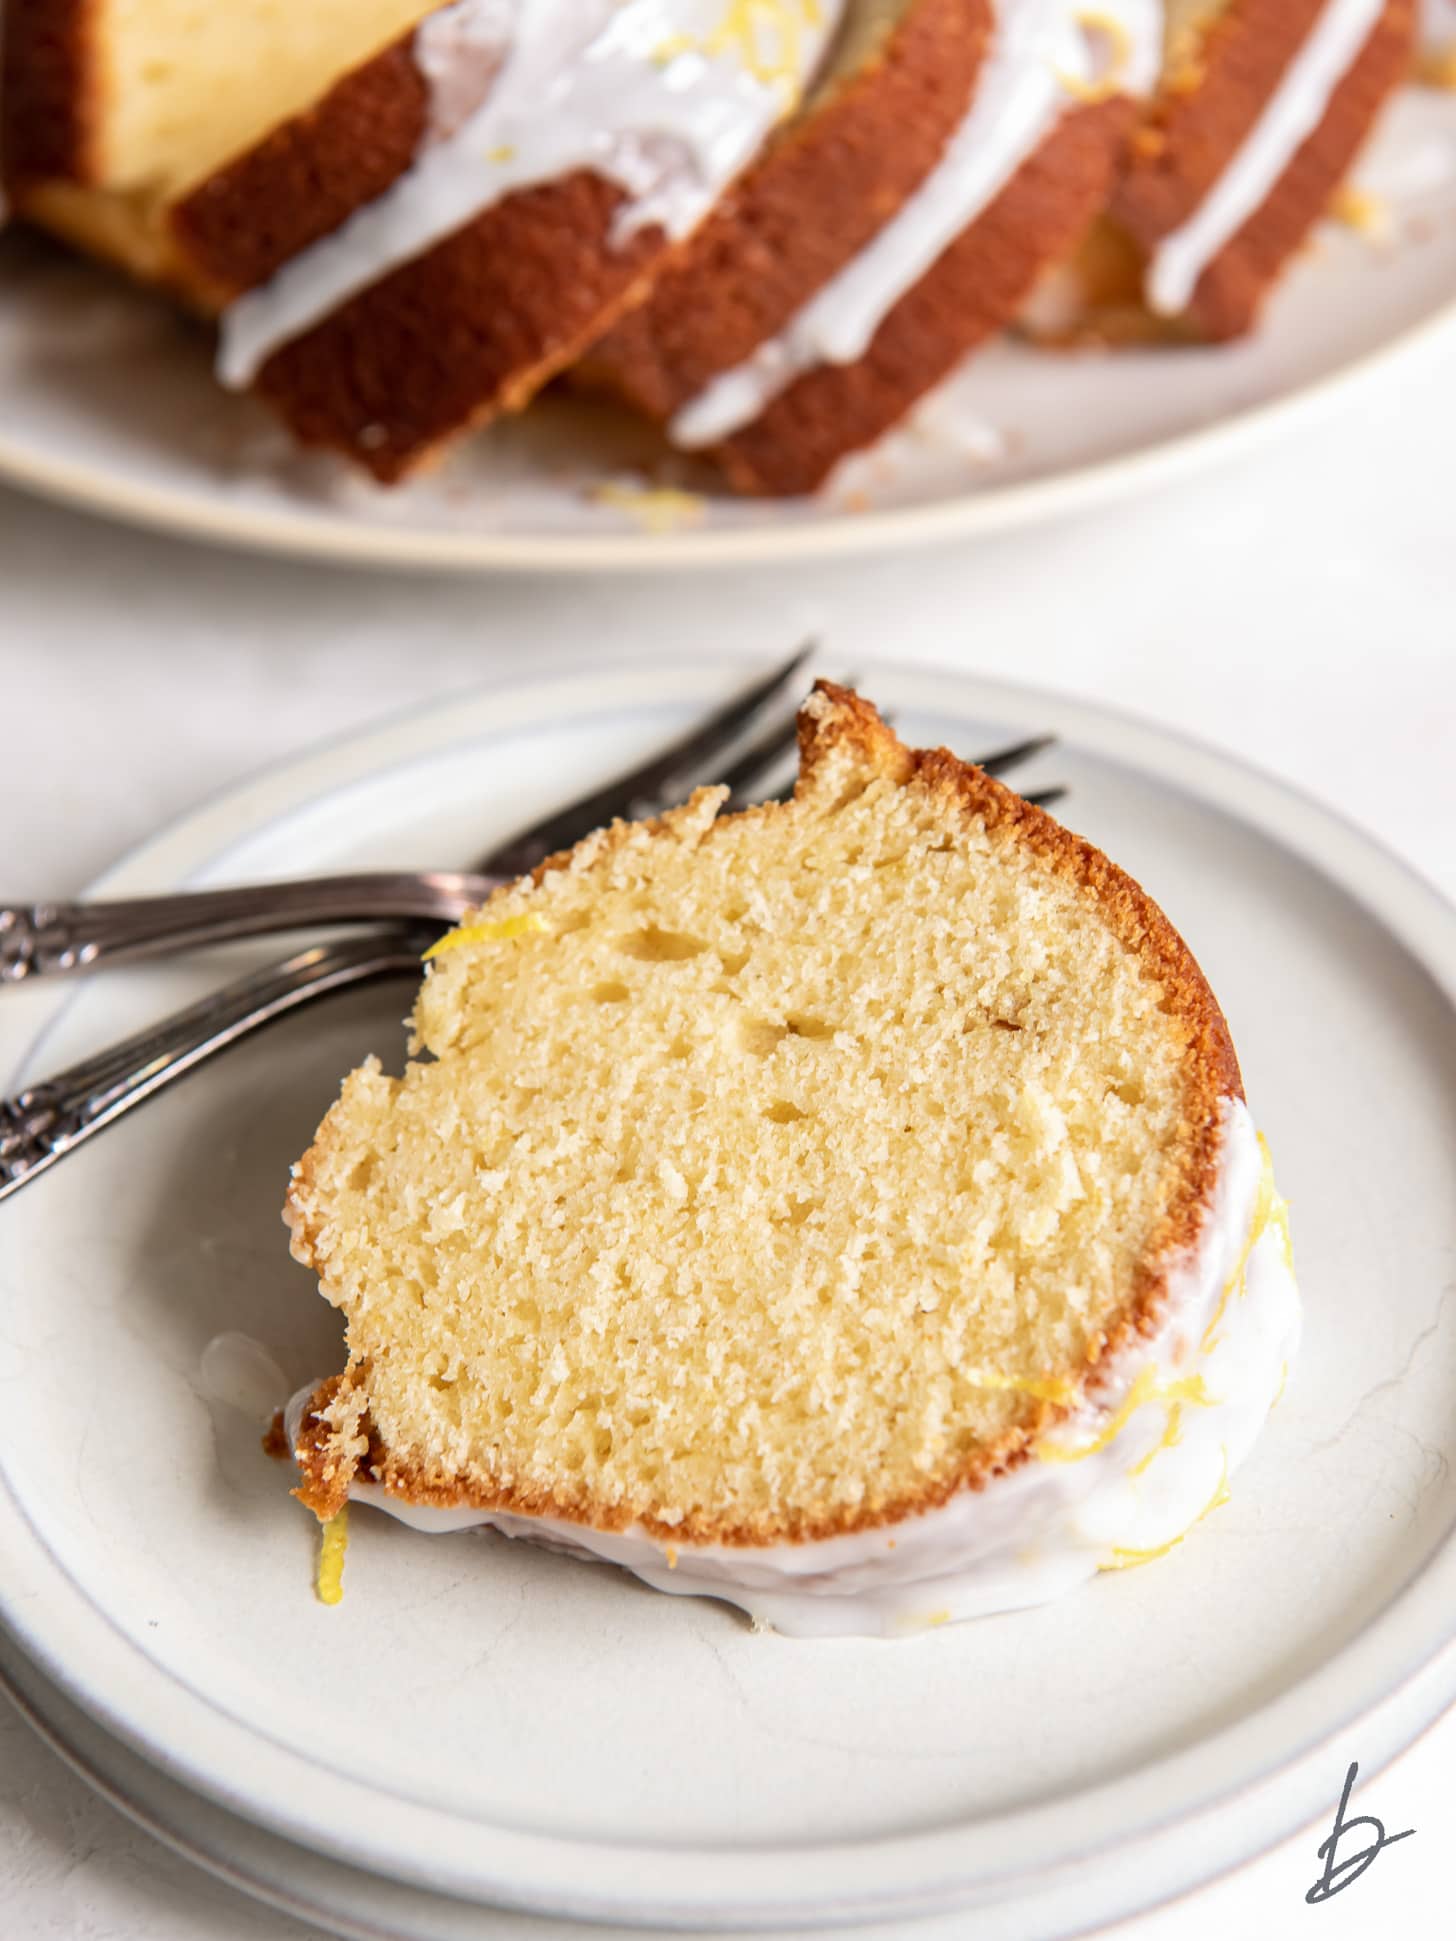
(48, 1121)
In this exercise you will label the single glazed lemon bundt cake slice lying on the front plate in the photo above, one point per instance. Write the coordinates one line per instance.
(845, 1208)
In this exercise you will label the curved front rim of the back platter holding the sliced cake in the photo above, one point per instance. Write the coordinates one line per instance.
(976, 513)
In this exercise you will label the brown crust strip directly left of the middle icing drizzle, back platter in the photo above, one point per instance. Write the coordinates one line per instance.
(812, 201)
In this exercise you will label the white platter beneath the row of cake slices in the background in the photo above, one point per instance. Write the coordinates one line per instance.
(108, 401)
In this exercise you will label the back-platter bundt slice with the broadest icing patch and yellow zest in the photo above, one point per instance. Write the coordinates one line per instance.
(459, 220)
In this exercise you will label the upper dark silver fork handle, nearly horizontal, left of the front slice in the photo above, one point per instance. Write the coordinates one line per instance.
(57, 938)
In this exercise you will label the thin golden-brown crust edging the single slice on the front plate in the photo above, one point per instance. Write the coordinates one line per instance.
(329, 1459)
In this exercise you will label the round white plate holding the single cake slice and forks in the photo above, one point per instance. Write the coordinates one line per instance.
(519, 1730)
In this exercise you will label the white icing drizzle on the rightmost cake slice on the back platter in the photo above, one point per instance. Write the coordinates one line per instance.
(1290, 117)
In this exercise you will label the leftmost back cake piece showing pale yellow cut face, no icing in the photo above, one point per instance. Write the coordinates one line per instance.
(114, 110)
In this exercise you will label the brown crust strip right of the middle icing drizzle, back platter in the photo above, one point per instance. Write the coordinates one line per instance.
(968, 296)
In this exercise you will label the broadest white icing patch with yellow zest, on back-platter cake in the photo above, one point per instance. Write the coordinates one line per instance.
(657, 96)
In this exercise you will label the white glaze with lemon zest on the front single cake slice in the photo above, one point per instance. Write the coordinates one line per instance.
(1115, 1486)
